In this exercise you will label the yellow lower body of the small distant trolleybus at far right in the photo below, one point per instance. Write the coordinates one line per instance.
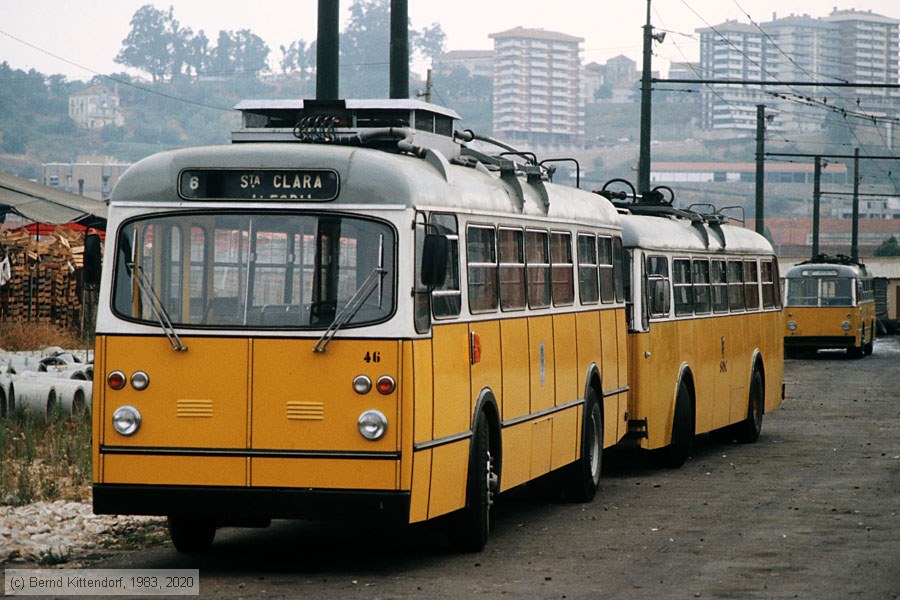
(821, 326)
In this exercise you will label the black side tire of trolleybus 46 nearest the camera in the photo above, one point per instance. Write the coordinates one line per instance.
(470, 529)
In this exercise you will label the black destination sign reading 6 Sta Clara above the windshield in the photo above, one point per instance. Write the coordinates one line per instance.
(319, 185)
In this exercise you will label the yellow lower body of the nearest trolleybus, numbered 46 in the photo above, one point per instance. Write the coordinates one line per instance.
(271, 413)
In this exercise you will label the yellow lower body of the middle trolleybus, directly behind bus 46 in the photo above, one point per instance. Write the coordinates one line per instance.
(716, 354)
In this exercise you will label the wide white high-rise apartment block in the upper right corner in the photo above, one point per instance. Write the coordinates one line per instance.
(846, 46)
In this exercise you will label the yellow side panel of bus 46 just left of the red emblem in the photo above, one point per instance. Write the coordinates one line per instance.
(452, 391)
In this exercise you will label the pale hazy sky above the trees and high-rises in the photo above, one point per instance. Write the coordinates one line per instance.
(80, 38)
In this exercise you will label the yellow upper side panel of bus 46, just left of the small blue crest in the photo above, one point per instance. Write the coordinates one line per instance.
(514, 399)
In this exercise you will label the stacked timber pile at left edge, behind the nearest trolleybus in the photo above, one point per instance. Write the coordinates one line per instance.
(42, 277)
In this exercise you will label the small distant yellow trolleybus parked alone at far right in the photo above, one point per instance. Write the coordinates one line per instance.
(829, 303)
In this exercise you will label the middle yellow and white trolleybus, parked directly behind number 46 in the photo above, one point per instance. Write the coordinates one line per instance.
(704, 312)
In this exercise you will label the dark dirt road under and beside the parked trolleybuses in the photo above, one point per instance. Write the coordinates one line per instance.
(809, 511)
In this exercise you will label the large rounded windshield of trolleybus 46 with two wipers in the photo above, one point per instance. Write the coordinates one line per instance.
(252, 271)
